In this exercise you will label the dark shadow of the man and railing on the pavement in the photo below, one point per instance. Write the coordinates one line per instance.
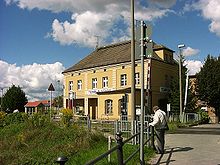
(169, 154)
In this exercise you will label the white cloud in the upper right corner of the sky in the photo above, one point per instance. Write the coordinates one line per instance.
(210, 9)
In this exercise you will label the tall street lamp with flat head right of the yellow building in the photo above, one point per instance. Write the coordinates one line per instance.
(180, 46)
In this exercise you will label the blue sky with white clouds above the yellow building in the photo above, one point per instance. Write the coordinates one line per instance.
(40, 35)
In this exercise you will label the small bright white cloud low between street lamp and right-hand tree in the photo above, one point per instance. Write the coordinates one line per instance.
(193, 66)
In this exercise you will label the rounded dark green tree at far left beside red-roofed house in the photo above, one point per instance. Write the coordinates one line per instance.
(13, 99)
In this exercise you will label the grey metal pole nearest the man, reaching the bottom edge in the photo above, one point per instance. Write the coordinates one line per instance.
(142, 97)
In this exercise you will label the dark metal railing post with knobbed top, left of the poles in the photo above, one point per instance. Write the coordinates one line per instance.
(119, 140)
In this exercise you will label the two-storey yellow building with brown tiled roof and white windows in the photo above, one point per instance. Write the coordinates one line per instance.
(99, 84)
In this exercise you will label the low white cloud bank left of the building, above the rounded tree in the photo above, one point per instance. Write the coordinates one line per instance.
(33, 79)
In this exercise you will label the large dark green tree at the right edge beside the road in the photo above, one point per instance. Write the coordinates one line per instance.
(208, 81)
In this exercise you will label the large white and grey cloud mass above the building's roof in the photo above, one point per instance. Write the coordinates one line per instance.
(94, 18)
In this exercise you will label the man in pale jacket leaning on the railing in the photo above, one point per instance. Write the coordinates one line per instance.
(160, 124)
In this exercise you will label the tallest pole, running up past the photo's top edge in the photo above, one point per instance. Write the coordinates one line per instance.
(133, 104)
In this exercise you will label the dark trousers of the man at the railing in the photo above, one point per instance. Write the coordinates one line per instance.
(160, 140)
